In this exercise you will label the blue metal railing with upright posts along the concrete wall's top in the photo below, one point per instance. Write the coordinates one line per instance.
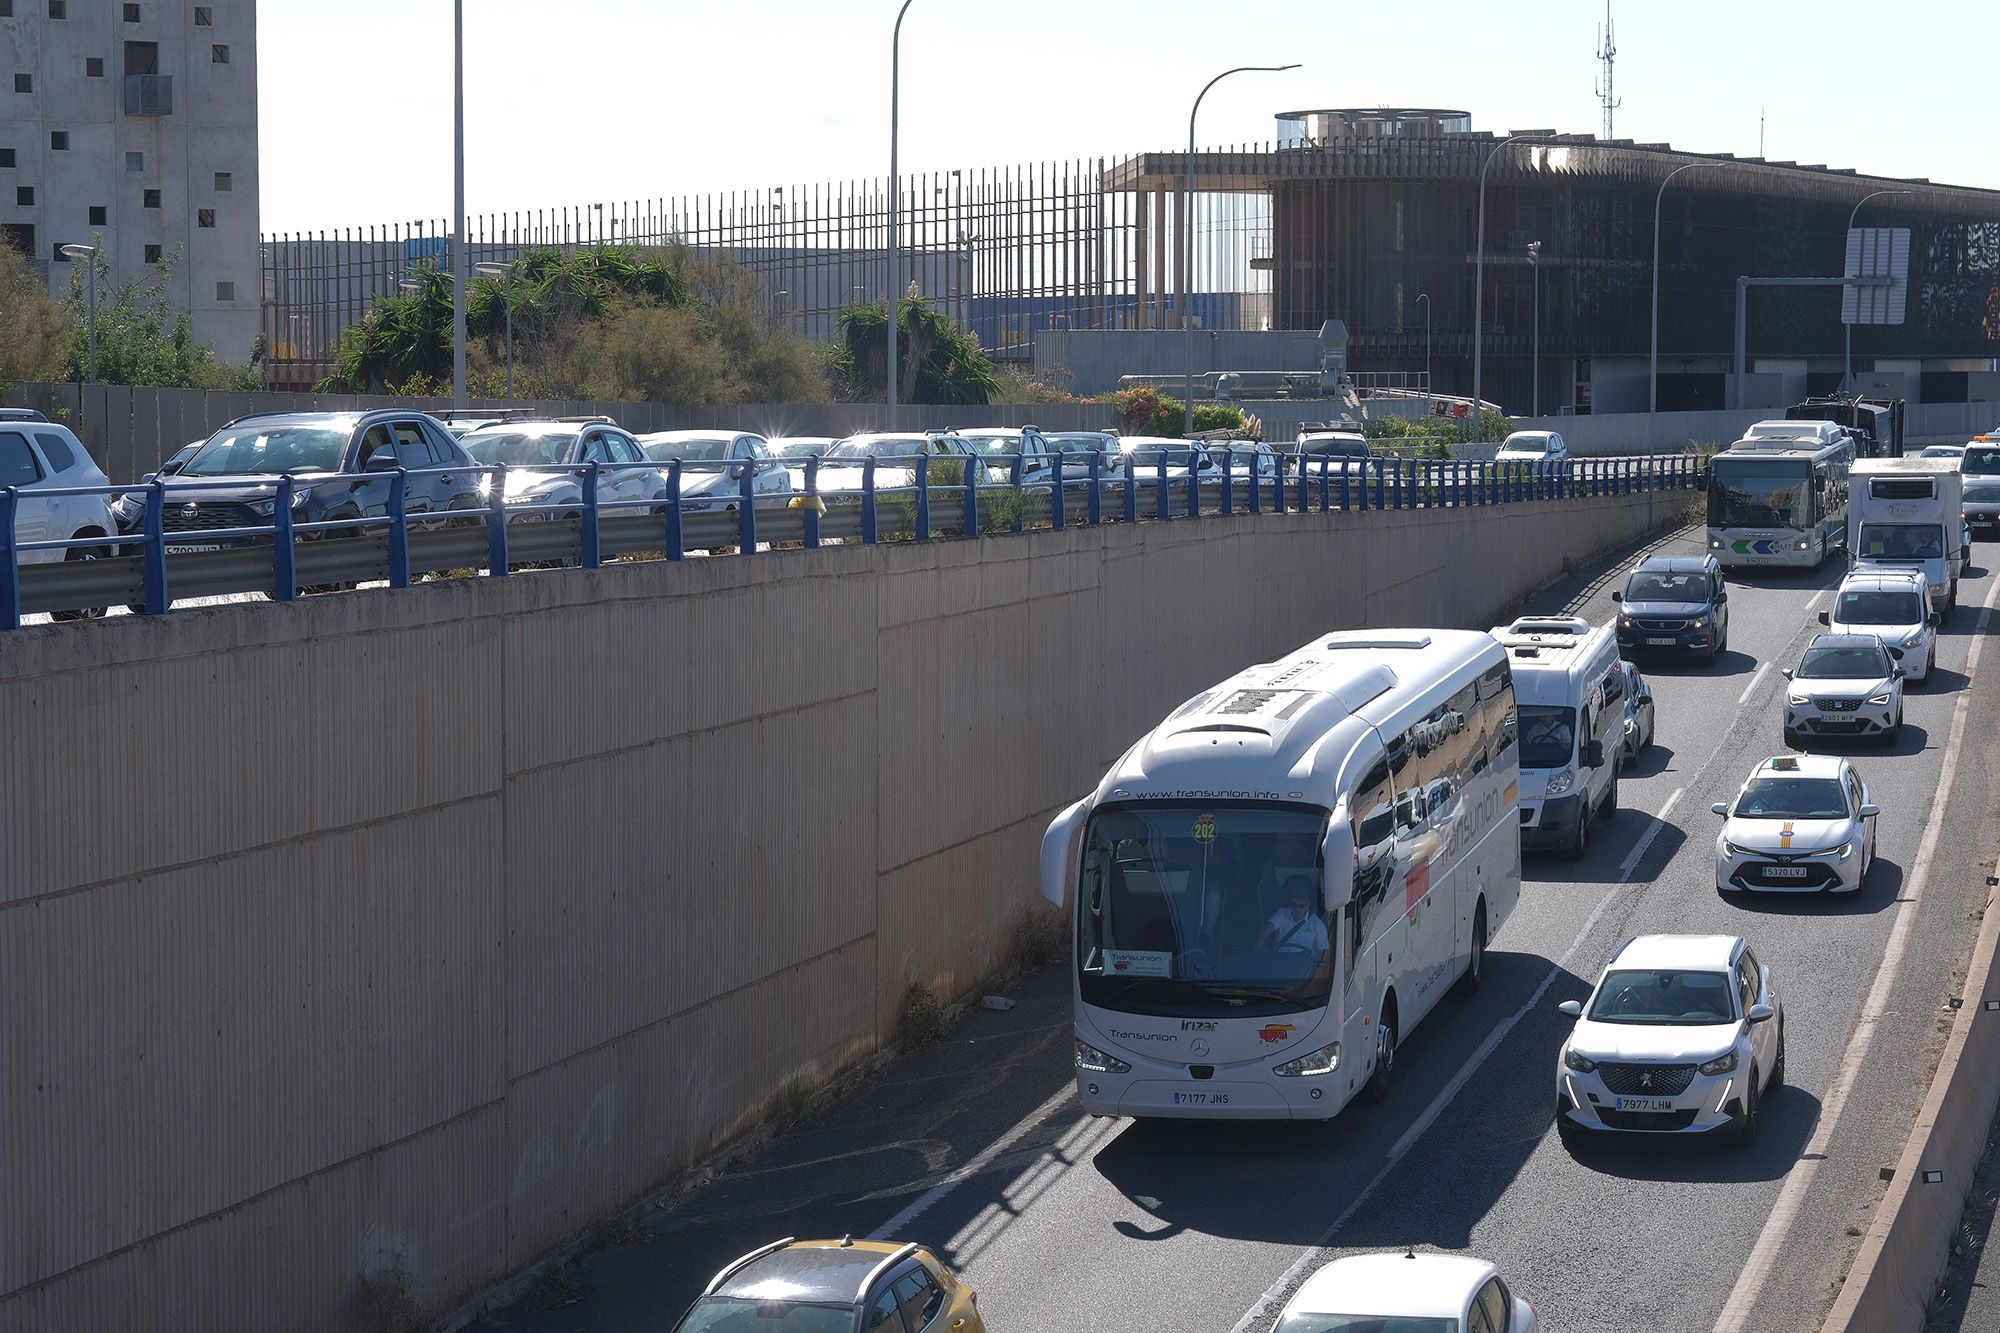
(1185, 483)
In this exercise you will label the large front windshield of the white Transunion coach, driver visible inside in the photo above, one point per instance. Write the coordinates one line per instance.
(1205, 910)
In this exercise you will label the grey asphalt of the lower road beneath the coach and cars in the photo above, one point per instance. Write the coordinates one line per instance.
(1061, 1222)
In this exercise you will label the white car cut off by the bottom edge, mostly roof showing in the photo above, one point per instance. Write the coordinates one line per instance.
(1407, 1294)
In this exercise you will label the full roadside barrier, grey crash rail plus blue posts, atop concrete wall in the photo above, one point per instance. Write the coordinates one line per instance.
(147, 567)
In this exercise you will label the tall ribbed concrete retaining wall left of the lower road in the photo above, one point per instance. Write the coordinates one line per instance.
(361, 952)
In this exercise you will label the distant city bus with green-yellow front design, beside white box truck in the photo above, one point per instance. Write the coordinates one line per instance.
(1779, 497)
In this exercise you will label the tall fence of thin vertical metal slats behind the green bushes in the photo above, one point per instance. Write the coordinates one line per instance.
(1003, 251)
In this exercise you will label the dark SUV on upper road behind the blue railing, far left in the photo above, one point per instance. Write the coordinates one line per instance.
(341, 463)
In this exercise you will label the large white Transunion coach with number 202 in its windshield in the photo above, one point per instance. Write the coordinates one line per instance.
(1279, 882)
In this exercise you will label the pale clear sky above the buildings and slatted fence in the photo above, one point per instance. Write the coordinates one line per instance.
(589, 101)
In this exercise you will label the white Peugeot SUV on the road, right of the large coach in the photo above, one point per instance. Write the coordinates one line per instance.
(1683, 1036)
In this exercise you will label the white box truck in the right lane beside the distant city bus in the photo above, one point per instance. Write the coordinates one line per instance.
(1909, 513)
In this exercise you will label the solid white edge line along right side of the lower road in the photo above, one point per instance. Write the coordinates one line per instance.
(1785, 1214)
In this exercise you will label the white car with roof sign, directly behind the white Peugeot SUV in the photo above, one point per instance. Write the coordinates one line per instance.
(1803, 824)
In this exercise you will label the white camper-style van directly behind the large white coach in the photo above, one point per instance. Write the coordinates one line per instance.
(1571, 698)
